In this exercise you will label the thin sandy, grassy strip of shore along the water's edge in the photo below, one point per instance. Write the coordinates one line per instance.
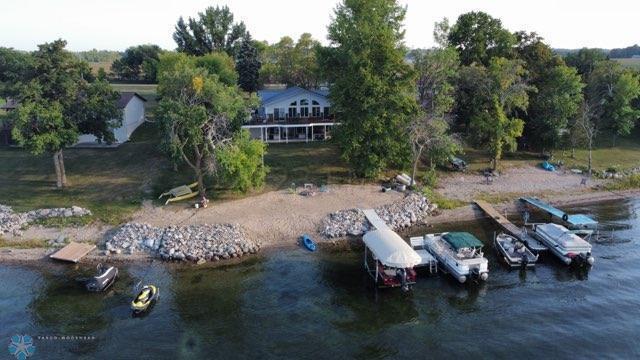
(17, 256)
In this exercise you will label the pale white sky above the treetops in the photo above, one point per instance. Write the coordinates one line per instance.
(118, 24)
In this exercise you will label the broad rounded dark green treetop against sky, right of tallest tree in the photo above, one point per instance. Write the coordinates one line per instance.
(478, 37)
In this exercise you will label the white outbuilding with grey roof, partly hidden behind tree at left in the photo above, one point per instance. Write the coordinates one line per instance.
(132, 106)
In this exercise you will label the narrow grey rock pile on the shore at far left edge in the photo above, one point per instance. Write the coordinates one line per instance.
(12, 222)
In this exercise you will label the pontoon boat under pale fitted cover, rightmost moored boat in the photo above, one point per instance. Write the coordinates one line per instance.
(563, 243)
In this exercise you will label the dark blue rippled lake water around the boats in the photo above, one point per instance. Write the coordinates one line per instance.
(296, 304)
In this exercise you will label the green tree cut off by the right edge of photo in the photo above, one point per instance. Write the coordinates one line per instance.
(613, 89)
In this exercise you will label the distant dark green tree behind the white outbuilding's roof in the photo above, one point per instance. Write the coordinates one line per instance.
(138, 63)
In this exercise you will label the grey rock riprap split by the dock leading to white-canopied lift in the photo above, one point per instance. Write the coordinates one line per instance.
(412, 209)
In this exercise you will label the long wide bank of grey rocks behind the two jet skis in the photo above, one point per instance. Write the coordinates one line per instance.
(195, 243)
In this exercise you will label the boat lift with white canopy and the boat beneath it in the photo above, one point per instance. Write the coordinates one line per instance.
(389, 260)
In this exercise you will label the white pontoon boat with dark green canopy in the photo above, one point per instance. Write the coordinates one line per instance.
(460, 253)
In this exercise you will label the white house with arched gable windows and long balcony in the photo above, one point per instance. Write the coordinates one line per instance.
(292, 115)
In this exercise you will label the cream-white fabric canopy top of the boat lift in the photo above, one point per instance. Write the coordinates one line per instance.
(390, 249)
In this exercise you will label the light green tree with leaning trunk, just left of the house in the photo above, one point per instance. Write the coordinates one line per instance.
(195, 113)
